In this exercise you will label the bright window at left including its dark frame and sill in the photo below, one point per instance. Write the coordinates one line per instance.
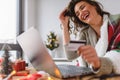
(9, 23)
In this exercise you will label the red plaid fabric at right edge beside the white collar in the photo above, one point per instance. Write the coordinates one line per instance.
(114, 37)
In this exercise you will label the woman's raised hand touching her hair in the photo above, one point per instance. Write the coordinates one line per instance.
(64, 19)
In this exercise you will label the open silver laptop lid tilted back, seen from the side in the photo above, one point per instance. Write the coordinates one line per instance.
(32, 45)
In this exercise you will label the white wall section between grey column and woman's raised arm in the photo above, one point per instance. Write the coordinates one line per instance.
(48, 19)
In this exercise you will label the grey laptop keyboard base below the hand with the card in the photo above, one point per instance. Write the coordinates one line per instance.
(72, 71)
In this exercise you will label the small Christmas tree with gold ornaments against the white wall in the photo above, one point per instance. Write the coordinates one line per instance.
(52, 41)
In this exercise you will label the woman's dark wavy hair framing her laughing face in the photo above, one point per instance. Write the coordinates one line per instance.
(75, 19)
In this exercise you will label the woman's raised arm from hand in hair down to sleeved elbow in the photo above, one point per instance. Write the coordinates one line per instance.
(66, 35)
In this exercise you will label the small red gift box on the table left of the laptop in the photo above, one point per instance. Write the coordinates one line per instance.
(19, 65)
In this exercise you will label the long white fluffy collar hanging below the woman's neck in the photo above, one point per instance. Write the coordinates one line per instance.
(102, 43)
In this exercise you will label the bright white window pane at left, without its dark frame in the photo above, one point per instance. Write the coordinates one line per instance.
(8, 21)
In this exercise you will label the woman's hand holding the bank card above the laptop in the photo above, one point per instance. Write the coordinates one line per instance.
(88, 53)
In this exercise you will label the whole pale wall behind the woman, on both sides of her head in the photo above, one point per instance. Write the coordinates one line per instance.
(44, 14)
